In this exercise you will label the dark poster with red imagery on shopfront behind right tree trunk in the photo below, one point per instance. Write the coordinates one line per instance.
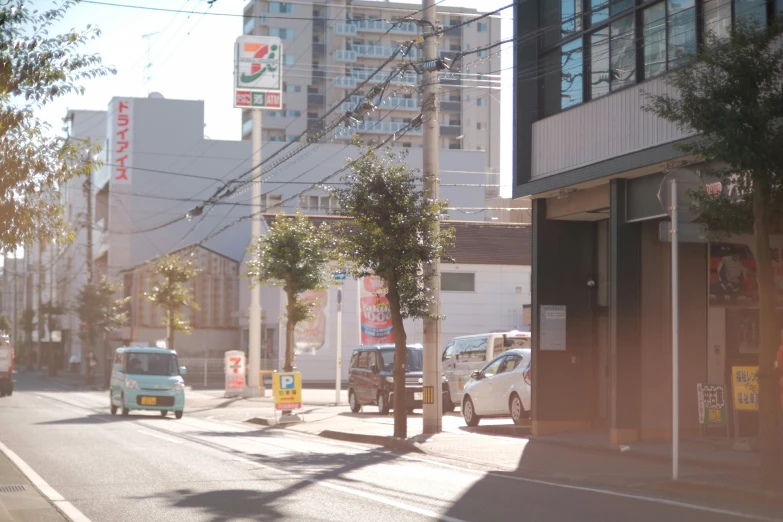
(732, 267)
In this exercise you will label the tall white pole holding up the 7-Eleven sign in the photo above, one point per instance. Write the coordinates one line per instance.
(253, 386)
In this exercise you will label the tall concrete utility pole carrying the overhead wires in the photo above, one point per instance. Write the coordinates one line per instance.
(433, 410)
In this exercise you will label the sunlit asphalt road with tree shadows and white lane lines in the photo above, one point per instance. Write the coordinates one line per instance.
(148, 468)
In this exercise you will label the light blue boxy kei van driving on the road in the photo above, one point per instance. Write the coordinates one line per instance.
(146, 378)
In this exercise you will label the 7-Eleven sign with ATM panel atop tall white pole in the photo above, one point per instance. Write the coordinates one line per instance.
(258, 72)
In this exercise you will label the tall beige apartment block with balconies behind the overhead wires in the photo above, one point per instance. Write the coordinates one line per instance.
(330, 48)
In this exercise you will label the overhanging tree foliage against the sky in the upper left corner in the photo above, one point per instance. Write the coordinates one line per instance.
(36, 69)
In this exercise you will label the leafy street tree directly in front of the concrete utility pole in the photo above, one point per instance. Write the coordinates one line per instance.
(390, 217)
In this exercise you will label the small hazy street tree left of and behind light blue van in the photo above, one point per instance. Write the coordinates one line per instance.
(99, 309)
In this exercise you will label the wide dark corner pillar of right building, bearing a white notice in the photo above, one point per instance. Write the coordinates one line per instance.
(563, 381)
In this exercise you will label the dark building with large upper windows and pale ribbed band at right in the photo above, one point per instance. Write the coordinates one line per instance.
(593, 161)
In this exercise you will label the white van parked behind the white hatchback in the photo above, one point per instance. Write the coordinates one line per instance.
(469, 353)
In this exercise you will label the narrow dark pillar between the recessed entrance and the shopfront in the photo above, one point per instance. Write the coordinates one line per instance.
(624, 319)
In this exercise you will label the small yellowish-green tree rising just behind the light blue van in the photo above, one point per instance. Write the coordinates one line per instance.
(172, 293)
